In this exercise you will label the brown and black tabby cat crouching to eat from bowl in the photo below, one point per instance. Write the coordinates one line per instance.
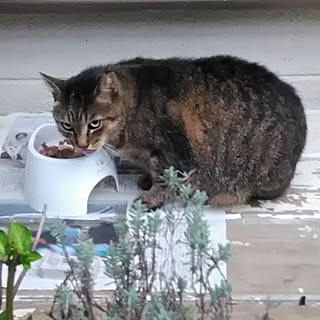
(240, 126)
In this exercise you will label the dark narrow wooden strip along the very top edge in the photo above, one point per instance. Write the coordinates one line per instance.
(91, 6)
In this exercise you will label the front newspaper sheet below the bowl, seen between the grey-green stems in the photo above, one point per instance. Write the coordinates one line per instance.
(50, 270)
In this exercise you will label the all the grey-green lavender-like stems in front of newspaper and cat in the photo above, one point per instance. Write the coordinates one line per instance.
(146, 287)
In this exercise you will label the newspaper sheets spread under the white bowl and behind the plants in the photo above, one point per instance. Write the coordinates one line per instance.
(104, 205)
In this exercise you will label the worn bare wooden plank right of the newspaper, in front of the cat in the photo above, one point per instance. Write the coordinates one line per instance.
(274, 258)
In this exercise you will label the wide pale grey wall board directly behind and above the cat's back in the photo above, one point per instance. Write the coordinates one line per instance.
(62, 44)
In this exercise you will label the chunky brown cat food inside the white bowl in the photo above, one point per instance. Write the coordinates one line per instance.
(63, 151)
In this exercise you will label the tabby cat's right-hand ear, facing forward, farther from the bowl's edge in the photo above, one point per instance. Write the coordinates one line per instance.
(108, 87)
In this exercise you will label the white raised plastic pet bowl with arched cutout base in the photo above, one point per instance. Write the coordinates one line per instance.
(63, 185)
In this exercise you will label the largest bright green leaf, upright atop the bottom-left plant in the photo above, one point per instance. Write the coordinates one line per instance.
(20, 237)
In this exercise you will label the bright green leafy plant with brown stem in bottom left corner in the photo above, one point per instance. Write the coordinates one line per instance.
(14, 251)
